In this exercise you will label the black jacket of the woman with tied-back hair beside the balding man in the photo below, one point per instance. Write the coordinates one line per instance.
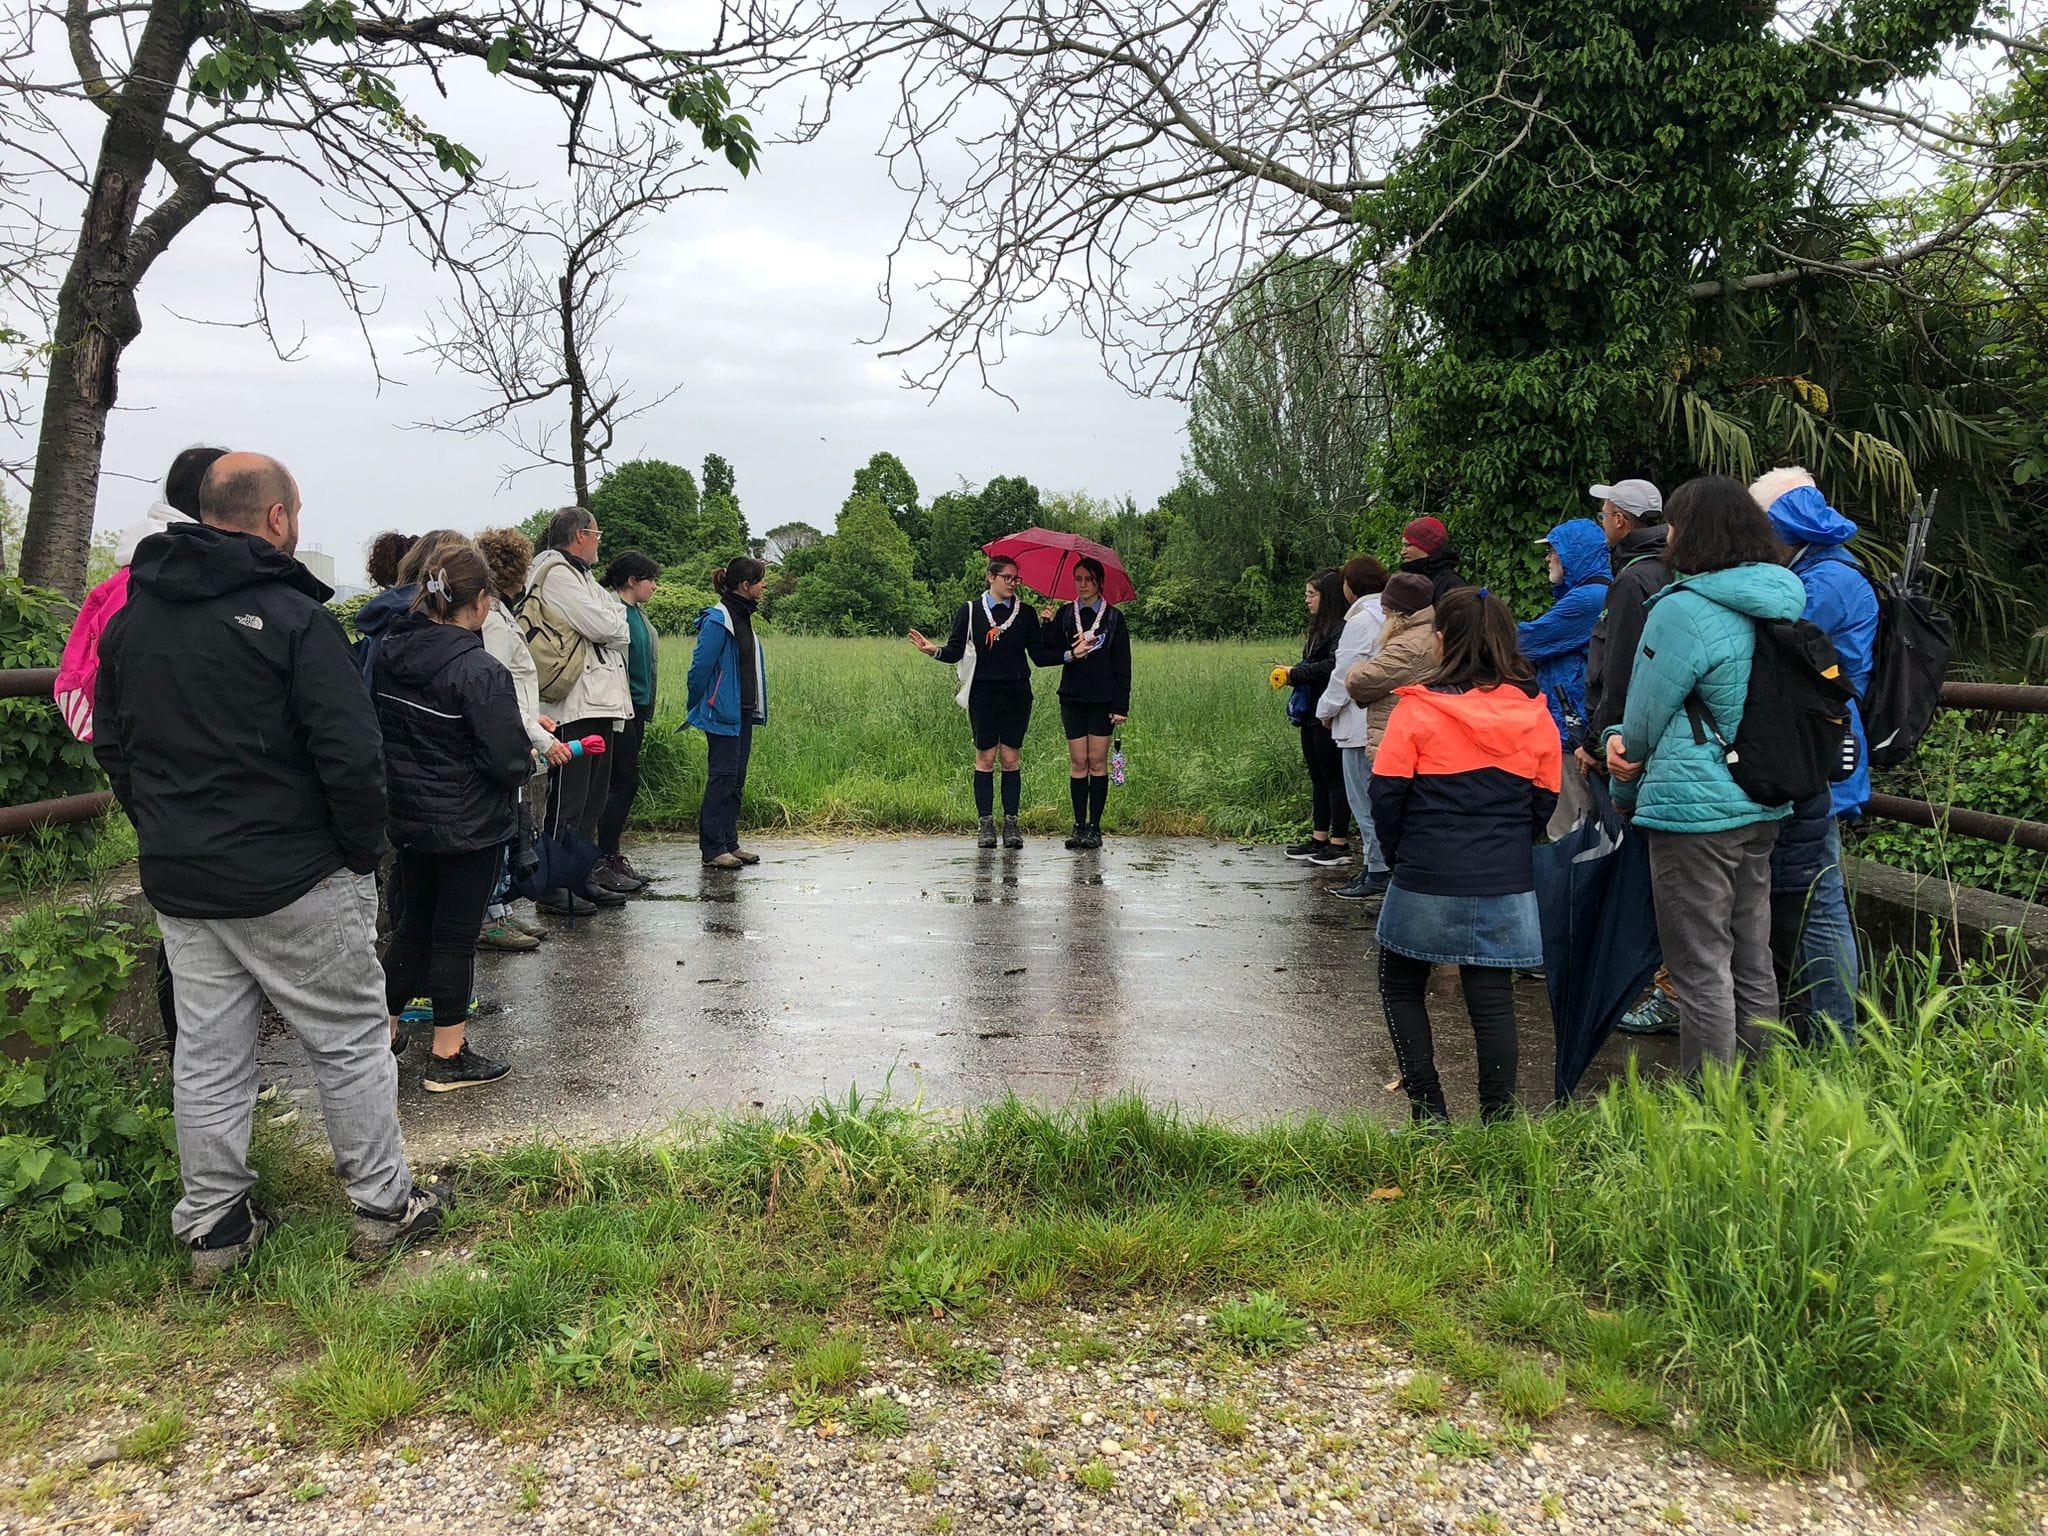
(456, 749)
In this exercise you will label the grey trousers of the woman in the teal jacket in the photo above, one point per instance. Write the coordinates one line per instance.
(1715, 923)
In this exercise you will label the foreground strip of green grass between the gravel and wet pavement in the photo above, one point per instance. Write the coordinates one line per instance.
(1836, 1258)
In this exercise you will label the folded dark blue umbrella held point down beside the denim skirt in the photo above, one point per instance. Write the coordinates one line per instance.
(1598, 931)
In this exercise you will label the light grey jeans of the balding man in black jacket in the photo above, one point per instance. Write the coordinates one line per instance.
(314, 959)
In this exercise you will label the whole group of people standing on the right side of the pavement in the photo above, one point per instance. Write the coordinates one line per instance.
(1459, 740)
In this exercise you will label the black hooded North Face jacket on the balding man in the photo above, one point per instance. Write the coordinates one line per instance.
(234, 728)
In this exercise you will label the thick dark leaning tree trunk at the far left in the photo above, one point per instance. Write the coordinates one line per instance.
(97, 314)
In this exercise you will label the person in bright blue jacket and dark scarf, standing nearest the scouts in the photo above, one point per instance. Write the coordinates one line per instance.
(728, 699)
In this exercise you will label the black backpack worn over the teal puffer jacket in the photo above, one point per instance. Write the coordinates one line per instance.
(1795, 738)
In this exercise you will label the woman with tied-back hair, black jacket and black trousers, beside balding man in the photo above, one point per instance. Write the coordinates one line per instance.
(456, 759)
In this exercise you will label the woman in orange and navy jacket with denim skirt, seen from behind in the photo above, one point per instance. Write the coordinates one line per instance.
(1463, 785)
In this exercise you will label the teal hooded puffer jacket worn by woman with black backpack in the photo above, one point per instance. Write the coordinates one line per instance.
(1701, 638)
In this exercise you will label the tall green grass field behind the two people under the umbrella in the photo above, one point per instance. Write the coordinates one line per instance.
(863, 734)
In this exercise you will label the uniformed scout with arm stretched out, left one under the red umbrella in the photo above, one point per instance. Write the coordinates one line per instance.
(996, 636)
